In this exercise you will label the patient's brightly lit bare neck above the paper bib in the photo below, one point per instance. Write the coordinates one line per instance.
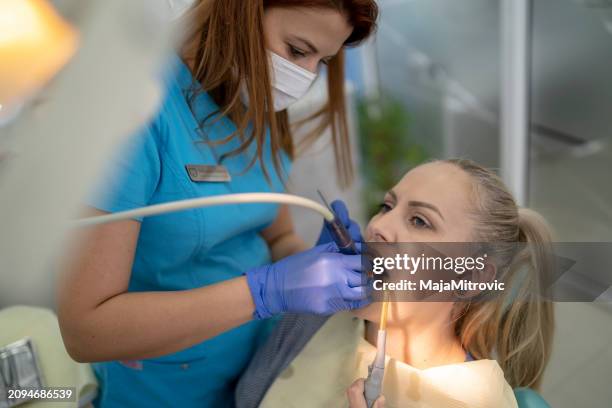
(426, 340)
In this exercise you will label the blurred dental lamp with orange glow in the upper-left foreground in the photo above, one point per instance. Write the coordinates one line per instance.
(87, 103)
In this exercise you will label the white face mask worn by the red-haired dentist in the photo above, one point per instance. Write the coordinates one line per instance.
(290, 82)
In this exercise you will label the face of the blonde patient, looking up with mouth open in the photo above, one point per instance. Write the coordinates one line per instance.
(431, 203)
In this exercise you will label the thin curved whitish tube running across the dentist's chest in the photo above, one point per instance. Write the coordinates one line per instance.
(182, 205)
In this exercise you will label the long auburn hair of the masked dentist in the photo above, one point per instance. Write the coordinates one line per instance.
(226, 44)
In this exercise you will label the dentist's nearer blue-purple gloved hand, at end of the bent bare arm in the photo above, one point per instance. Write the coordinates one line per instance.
(318, 281)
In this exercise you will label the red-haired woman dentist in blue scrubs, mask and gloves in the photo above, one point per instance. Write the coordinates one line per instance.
(171, 308)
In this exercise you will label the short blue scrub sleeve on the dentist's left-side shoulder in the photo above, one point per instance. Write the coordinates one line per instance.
(132, 175)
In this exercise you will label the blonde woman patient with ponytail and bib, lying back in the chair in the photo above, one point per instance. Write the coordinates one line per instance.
(439, 354)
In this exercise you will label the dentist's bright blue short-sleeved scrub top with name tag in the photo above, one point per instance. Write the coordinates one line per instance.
(187, 249)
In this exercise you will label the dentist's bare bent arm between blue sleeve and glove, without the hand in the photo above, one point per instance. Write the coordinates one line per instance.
(101, 320)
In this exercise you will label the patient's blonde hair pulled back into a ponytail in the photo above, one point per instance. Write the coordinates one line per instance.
(515, 329)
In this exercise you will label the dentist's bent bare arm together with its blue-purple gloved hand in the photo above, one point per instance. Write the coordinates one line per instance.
(101, 320)
